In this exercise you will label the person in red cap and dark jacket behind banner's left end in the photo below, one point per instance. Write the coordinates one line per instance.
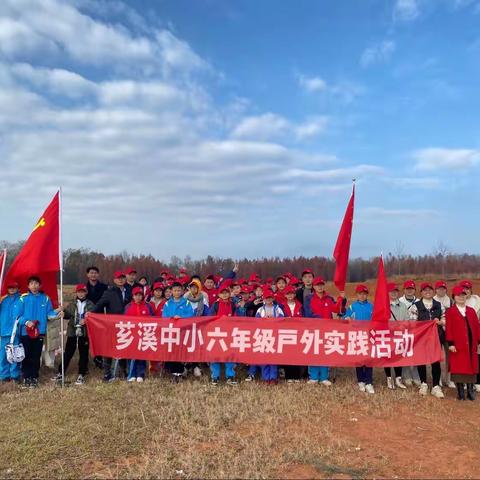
(113, 302)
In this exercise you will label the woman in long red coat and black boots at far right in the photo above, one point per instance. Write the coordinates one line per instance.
(463, 337)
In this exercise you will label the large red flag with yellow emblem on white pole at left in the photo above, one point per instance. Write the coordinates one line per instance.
(41, 253)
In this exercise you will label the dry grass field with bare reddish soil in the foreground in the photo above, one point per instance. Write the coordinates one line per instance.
(192, 430)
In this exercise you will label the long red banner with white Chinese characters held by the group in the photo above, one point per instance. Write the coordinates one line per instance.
(283, 341)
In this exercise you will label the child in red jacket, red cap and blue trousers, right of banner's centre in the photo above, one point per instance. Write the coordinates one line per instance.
(321, 305)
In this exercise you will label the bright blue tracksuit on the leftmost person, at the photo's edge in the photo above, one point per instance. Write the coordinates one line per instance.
(9, 310)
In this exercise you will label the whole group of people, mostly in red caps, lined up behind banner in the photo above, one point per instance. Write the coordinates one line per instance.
(24, 318)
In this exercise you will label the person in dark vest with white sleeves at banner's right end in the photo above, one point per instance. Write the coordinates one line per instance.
(423, 310)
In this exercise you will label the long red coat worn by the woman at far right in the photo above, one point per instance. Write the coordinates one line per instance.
(465, 360)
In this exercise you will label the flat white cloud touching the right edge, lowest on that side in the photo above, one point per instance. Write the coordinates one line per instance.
(436, 159)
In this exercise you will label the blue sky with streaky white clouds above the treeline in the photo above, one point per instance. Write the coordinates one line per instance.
(234, 128)
